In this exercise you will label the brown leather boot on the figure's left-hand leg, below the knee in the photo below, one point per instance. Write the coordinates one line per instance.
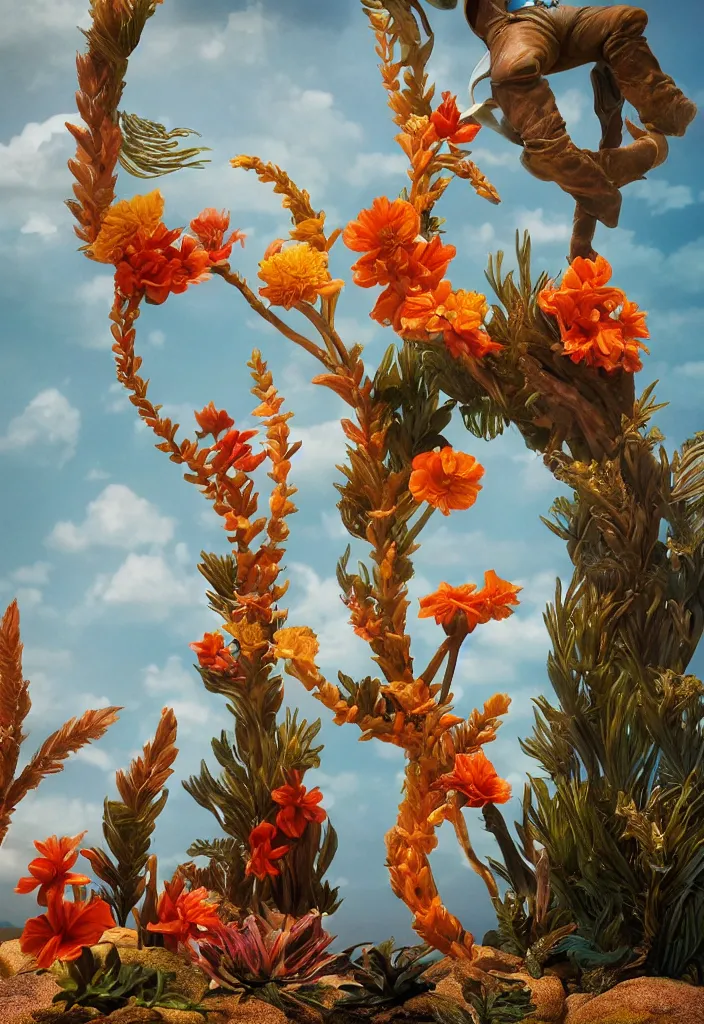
(549, 152)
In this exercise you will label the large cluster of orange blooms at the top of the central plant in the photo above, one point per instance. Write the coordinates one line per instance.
(417, 302)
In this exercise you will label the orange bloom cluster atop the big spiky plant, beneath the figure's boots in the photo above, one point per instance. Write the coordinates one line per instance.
(598, 325)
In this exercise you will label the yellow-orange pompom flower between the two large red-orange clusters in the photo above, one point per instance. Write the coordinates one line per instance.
(297, 275)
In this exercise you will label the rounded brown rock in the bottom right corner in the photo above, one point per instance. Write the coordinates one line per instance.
(642, 1001)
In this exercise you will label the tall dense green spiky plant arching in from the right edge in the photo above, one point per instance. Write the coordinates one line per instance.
(622, 813)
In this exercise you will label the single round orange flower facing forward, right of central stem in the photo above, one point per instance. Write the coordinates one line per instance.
(446, 480)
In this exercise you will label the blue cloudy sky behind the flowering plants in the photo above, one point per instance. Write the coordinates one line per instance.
(103, 535)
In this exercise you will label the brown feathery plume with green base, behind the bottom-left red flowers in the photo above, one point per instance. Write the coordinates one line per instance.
(128, 825)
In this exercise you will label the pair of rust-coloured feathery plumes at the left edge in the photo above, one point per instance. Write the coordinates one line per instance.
(15, 707)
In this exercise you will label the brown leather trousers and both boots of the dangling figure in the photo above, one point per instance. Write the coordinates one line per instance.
(541, 41)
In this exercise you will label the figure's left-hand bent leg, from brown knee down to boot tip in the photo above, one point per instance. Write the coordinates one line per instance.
(521, 54)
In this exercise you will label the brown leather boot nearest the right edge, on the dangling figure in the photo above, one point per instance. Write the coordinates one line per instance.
(662, 106)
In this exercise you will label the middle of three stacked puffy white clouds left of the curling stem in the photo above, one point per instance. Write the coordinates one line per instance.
(117, 519)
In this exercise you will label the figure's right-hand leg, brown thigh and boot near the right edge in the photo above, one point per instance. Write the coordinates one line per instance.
(615, 35)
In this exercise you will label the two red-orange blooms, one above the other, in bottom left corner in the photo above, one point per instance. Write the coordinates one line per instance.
(66, 928)
